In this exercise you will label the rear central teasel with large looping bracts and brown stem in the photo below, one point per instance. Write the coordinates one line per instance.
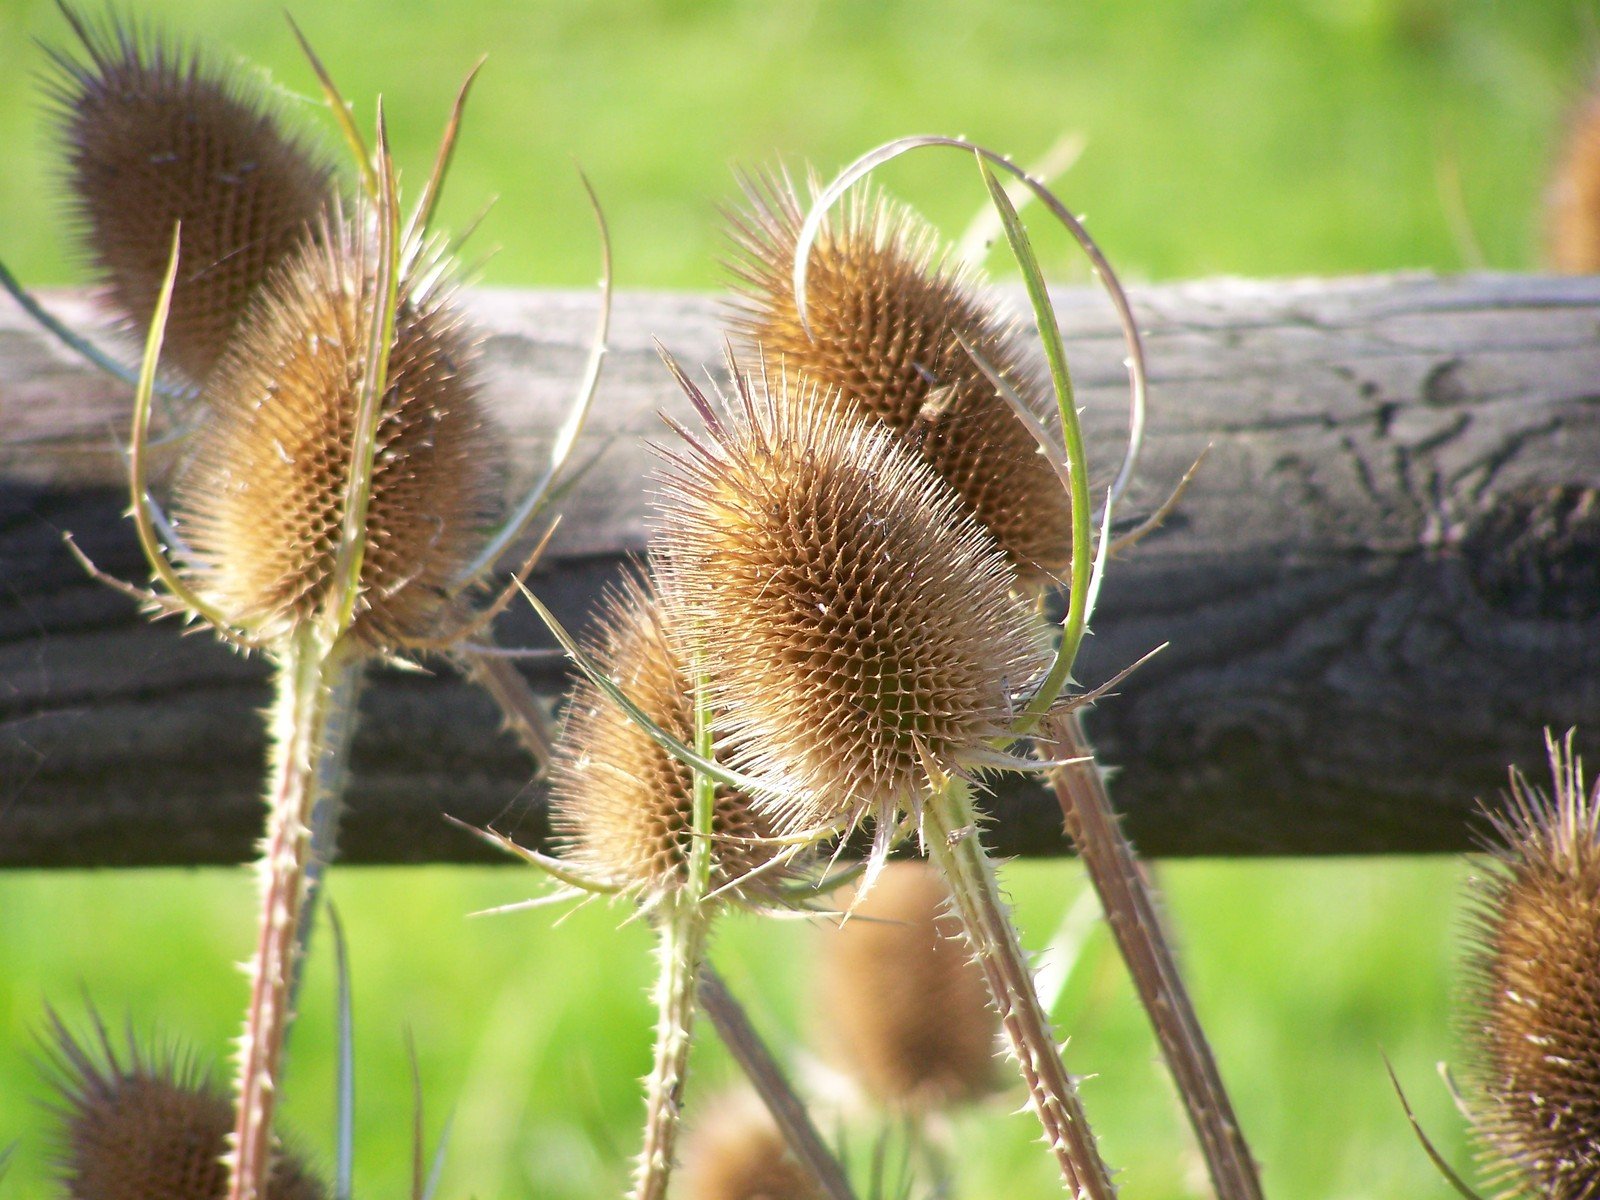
(874, 305)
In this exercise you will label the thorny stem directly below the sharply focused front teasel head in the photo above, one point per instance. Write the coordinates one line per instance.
(951, 834)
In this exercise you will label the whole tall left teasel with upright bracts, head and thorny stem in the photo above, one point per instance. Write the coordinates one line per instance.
(337, 506)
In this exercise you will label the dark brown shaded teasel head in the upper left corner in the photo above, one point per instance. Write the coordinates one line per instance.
(158, 135)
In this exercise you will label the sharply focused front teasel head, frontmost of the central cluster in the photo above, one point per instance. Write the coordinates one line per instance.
(857, 625)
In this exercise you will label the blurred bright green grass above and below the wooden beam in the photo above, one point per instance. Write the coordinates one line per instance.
(1225, 137)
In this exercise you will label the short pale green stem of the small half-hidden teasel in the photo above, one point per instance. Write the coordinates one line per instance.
(681, 932)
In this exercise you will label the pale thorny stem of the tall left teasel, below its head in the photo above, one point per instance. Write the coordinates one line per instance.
(308, 679)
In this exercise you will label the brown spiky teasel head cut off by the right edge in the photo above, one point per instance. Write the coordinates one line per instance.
(1535, 990)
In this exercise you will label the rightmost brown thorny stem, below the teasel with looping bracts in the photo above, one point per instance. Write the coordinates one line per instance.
(1135, 924)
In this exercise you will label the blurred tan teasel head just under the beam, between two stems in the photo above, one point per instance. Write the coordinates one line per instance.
(902, 999)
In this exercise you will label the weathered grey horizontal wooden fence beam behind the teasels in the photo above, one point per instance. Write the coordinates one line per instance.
(1380, 591)
